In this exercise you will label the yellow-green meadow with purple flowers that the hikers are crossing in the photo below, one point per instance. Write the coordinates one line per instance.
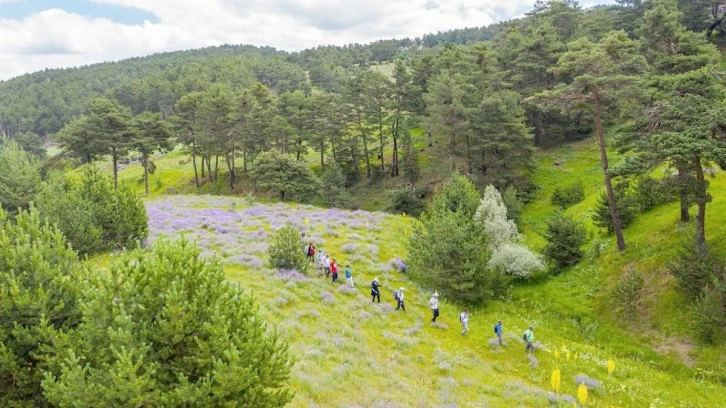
(350, 352)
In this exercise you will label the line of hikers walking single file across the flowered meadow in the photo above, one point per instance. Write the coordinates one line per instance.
(329, 267)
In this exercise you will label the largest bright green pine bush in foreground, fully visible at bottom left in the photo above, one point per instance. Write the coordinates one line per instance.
(166, 328)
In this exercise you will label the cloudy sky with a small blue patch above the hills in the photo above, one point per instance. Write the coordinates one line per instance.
(39, 34)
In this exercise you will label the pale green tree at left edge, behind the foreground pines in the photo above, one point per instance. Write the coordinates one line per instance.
(19, 176)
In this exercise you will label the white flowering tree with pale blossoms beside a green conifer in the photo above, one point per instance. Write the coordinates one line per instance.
(507, 254)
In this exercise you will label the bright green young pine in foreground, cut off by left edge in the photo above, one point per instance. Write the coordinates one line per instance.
(38, 304)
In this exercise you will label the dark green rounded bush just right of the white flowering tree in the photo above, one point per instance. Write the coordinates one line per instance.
(564, 238)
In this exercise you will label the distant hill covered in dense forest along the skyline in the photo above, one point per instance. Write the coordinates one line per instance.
(41, 103)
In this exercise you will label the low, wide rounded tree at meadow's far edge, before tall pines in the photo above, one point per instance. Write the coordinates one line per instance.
(276, 171)
